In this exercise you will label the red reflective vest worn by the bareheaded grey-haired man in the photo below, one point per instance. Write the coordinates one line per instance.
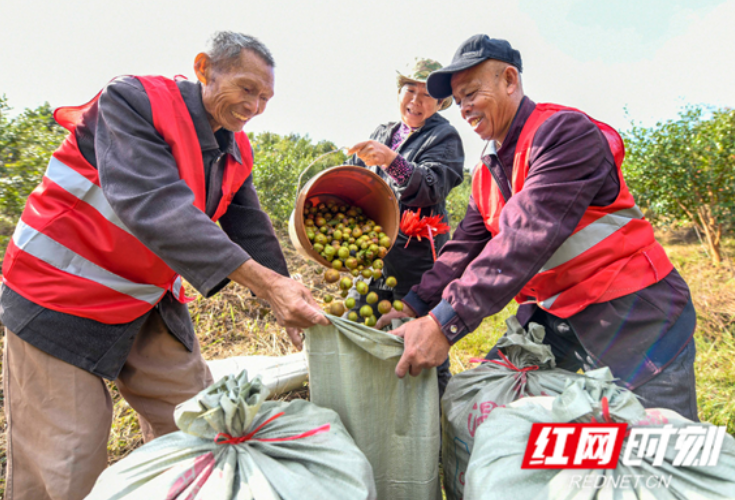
(71, 253)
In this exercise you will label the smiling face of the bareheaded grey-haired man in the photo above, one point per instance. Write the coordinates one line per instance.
(235, 94)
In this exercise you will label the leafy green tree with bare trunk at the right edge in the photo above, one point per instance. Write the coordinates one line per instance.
(685, 169)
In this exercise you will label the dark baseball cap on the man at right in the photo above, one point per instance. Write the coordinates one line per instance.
(472, 52)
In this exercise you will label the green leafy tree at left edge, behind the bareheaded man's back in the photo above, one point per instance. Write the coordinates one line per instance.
(26, 144)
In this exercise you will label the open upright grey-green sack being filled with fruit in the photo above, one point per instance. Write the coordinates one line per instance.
(395, 422)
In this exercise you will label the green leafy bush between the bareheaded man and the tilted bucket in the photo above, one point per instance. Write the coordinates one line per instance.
(278, 162)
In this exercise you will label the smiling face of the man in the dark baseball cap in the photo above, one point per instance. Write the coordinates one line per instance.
(488, 95)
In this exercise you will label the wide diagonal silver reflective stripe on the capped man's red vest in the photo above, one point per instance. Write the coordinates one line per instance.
(586, 238)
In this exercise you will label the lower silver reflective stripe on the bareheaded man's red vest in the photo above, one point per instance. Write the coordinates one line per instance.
(57, 255)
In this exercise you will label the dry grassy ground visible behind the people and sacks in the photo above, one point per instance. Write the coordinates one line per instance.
(236, 324)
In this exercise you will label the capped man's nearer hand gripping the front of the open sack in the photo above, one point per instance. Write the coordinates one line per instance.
(425, 346)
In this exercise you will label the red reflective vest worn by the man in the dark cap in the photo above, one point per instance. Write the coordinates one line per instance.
(612, 251)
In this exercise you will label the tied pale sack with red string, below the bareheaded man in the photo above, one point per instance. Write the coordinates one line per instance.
(289, 451)
